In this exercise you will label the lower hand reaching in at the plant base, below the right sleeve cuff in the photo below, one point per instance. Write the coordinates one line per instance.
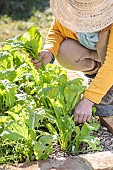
(83, 111)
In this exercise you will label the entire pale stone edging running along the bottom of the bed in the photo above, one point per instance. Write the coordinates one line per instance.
(94, 161)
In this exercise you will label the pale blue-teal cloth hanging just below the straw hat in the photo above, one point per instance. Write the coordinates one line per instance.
(88, 40)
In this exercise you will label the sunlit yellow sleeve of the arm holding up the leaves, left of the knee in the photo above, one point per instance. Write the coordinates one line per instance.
(54, 38)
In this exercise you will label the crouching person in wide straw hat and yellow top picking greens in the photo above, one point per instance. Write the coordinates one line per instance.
(81, 38)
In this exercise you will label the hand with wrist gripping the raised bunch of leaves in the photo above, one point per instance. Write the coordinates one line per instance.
(45, 56)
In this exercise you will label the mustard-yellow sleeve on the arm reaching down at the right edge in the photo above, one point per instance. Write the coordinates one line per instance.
(104, 78)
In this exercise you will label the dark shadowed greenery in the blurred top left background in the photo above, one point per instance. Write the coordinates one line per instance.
(22, 9)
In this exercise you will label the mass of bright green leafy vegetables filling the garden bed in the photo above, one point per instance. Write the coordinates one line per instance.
(36, 106)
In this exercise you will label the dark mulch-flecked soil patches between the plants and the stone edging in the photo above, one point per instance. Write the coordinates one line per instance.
(106, 139)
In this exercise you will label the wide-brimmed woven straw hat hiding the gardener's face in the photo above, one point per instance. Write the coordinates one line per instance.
(83, 15)
